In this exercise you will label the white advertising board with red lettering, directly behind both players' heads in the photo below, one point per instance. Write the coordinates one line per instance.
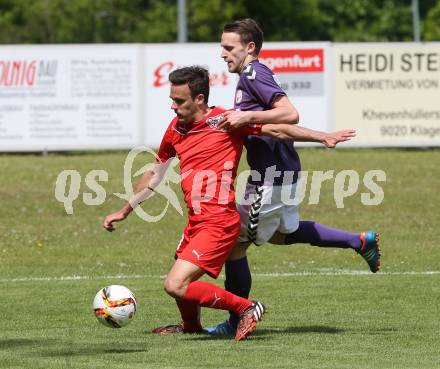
(302, 69)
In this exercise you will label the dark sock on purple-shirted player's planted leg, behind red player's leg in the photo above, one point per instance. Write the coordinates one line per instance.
(238, 281)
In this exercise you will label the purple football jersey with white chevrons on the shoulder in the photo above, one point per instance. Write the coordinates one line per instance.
(256, 91)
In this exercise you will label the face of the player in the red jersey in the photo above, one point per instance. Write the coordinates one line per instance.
(183, 104)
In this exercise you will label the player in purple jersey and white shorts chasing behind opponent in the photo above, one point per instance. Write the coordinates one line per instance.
(264, 216)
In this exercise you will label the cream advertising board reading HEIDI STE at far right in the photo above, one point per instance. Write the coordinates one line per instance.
(390, 93)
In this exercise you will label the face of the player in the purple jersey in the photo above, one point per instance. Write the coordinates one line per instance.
(234, 52)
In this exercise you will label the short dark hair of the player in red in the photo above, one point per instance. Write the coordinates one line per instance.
(195, 76)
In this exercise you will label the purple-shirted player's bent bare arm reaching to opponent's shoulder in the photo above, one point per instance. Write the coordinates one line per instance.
(282, 112)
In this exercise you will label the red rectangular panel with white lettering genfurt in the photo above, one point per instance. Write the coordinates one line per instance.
(293, 60)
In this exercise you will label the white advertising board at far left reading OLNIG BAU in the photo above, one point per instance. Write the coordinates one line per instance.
(69, 97)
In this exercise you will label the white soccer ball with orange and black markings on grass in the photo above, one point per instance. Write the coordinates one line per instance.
(114, 306)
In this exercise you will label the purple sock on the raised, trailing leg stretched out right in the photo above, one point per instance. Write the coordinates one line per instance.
(319, 235)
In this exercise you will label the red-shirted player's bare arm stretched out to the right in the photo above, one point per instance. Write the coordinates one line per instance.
(297, 133)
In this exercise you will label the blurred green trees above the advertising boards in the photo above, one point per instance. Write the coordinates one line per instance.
(113, 21)
